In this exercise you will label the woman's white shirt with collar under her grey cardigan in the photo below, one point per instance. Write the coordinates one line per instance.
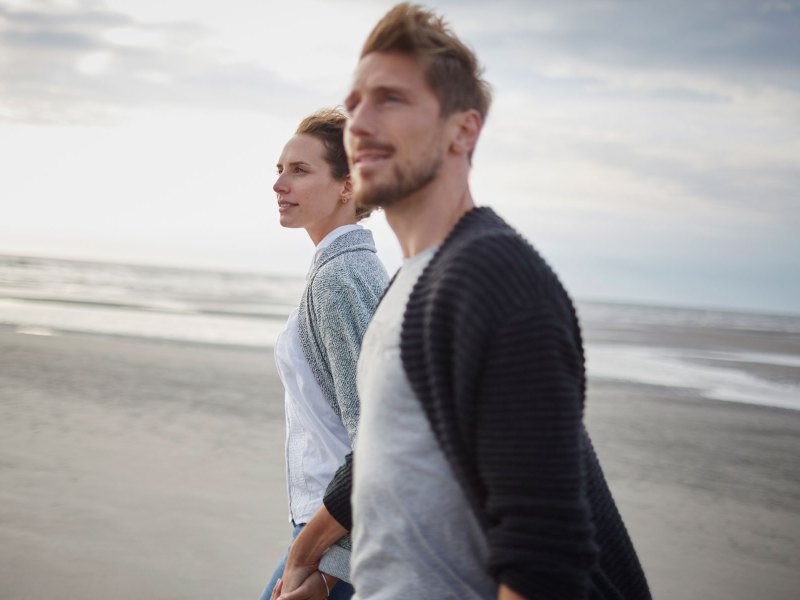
(316, 440)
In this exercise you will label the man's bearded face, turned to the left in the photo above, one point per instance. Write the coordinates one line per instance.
(395, 137)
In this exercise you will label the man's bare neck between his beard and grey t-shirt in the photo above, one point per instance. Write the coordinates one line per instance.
(425, 218)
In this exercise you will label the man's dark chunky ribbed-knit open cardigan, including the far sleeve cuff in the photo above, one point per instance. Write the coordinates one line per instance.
(491, 345)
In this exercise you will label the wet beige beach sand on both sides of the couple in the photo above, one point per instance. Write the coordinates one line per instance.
(137, 469)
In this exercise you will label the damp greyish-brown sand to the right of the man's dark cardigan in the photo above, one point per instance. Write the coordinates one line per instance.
(709, 490)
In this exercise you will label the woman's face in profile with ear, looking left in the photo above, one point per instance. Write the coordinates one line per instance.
(308, 195)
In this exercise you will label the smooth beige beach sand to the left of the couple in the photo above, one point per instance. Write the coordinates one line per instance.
(138, 469)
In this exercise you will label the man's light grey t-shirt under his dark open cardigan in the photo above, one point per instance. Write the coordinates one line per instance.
(414, 535)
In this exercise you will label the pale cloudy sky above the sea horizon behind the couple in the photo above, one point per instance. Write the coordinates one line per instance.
(649, 150)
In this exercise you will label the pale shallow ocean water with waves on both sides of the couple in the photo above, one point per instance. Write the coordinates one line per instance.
(722, 355)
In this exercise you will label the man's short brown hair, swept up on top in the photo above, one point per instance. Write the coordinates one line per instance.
(451, 68)
